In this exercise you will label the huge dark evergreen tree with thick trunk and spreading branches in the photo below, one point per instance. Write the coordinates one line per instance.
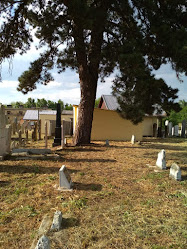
(134, 36)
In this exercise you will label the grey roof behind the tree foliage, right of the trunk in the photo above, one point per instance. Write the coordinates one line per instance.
(112, 104)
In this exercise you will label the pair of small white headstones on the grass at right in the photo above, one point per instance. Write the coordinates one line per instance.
(175, 171)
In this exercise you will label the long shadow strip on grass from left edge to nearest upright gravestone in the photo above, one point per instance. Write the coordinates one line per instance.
(20, 169)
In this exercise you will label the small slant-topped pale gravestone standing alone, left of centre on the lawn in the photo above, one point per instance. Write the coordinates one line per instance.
(64, 178)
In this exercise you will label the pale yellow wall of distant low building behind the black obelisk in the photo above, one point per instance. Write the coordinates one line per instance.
(47, 118)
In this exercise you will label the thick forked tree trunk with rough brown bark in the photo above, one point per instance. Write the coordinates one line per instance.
(88, 61)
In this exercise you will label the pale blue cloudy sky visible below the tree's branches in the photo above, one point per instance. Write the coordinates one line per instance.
(65, 86)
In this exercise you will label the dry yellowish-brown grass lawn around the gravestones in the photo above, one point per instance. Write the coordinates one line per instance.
(118, 201)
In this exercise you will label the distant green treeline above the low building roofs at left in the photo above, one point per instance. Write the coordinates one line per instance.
(42, 103)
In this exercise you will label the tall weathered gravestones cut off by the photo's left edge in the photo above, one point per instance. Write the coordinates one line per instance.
(5, 133)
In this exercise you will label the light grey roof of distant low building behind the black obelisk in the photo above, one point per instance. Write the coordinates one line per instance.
(33, 114)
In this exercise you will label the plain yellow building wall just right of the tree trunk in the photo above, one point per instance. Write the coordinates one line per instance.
(110, 125)
